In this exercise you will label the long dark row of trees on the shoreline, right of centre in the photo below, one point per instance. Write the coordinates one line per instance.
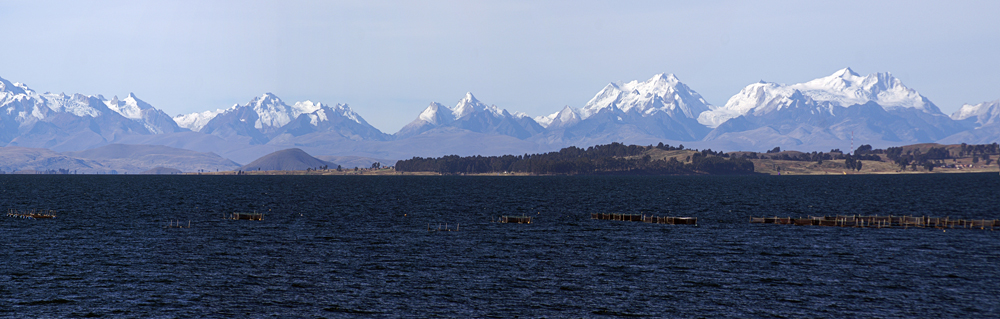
(614, 158)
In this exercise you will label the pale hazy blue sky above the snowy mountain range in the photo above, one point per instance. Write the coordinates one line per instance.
(389, 60)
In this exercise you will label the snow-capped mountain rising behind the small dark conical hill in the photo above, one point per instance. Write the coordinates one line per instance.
(267, 116)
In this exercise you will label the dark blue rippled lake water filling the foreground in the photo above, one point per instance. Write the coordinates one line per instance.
(341, 246)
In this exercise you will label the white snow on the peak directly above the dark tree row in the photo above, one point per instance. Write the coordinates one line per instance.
(662, 92)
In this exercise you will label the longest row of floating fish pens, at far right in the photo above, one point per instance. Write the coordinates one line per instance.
(880, 221)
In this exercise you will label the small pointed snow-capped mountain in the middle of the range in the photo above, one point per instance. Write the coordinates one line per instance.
(472, 115)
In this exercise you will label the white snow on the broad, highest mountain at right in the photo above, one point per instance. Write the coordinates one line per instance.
(841, 89)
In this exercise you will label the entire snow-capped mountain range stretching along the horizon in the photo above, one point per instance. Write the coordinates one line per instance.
(825, 113)
